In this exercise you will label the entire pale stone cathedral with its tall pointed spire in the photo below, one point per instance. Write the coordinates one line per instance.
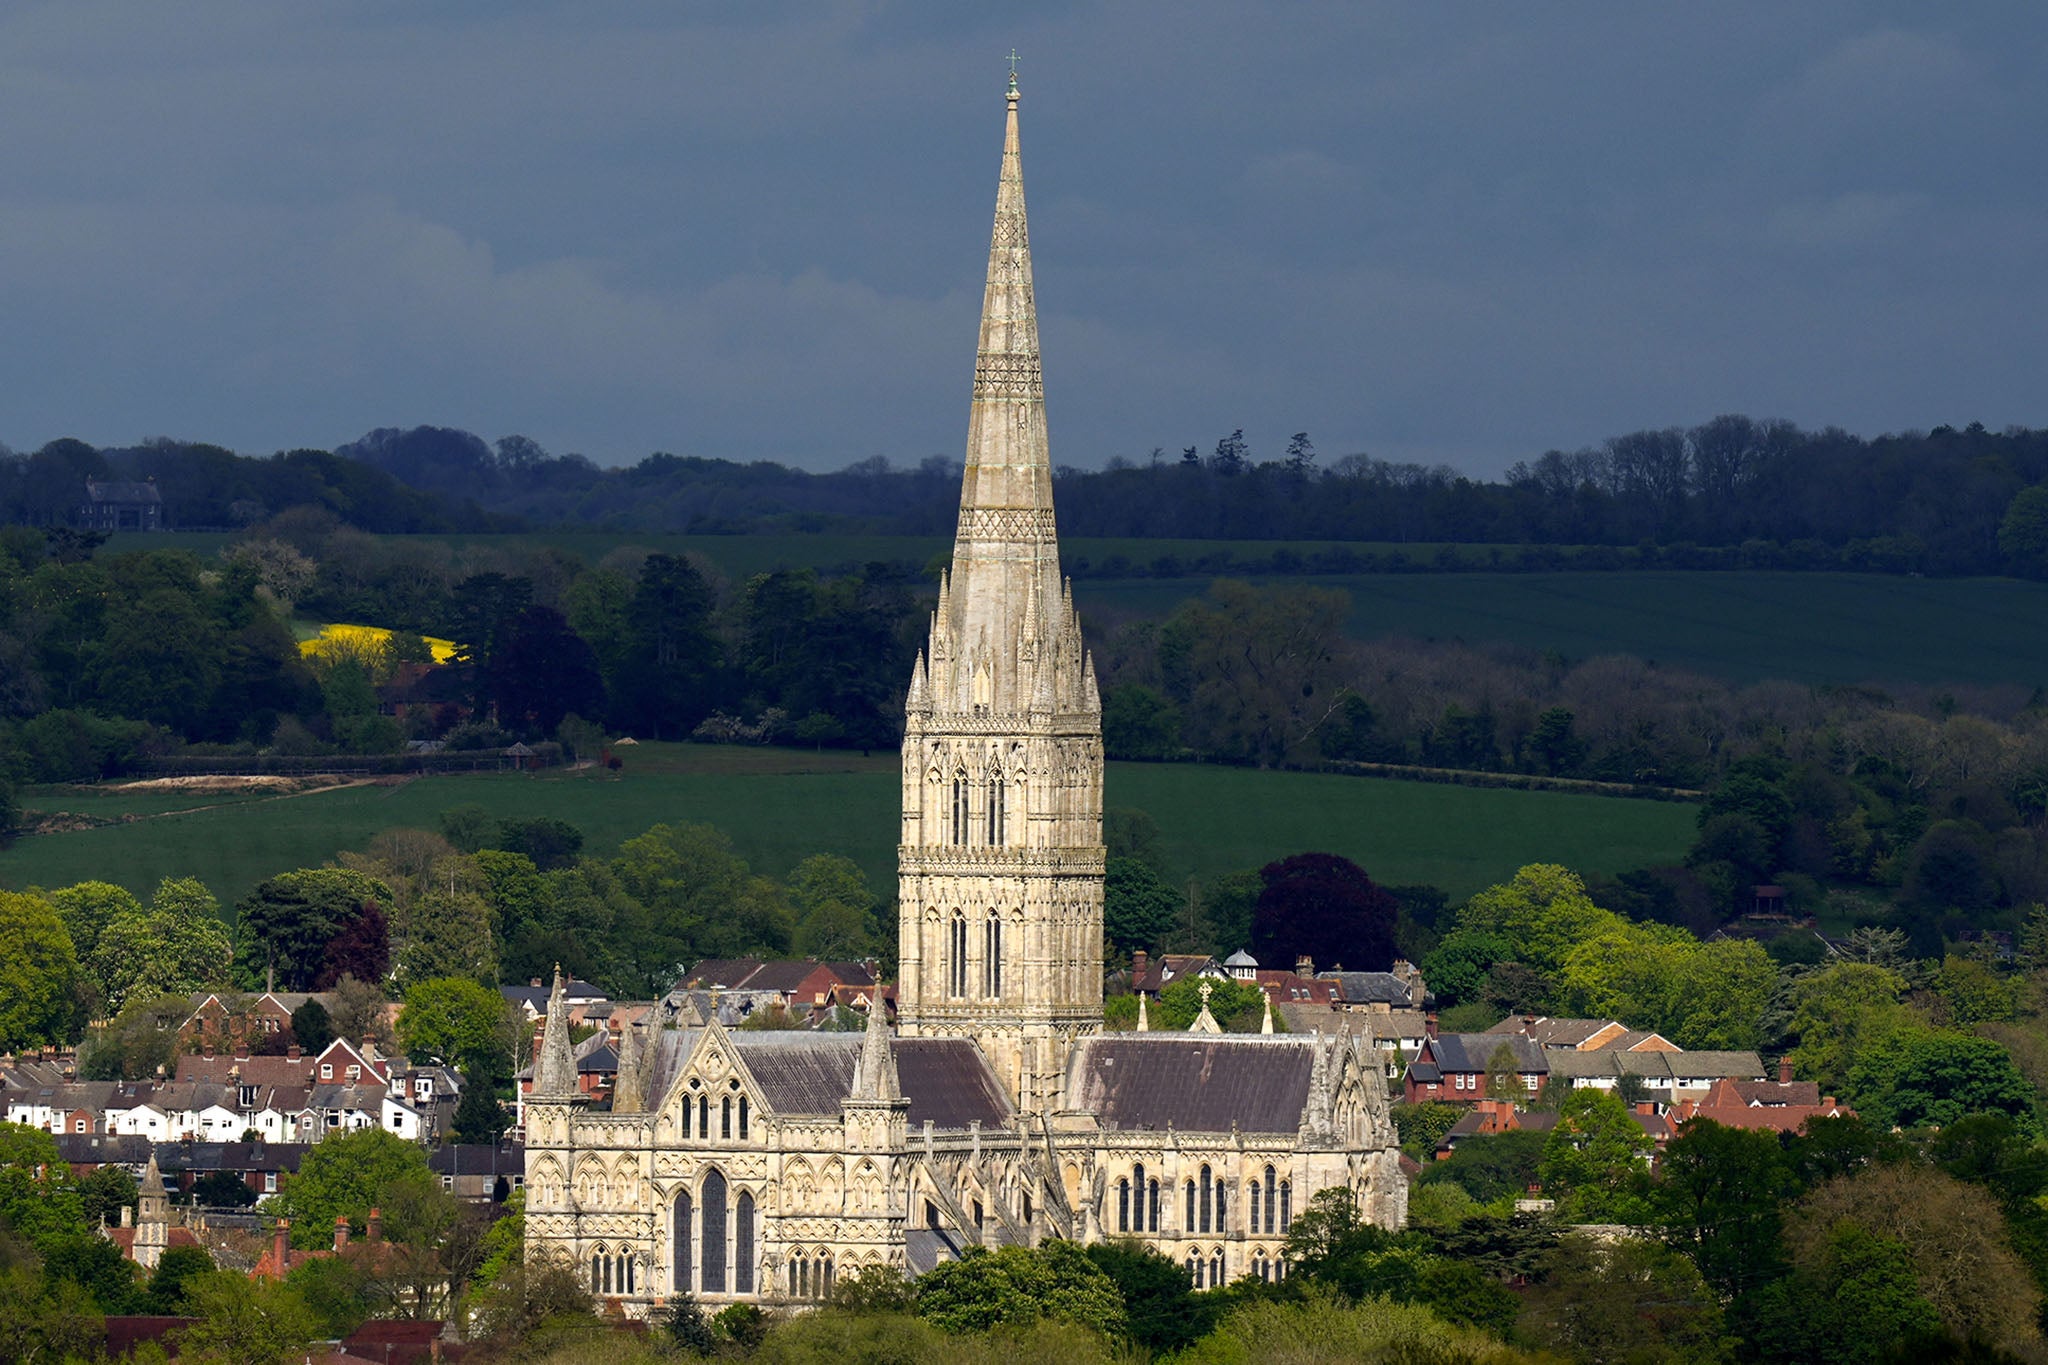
(761, 1165)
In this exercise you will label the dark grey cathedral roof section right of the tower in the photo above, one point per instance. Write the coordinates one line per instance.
(1193, 1082)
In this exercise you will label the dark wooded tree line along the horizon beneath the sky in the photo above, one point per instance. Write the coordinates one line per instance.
(1764, 492)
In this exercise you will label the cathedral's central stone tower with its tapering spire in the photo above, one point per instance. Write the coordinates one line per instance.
(1000, 869)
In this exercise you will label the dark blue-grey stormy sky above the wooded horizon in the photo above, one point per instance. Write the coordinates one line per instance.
(1431, 232)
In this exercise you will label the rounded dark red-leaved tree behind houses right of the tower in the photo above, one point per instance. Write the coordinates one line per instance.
(1328, 910)
